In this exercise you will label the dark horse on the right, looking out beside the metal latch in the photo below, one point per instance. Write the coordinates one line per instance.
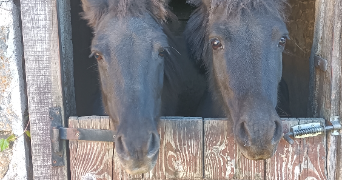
(240, 43)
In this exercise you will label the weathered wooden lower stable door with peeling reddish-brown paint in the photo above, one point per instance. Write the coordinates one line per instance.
(193, 148)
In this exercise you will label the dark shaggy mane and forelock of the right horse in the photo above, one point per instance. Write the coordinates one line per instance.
(196, 29)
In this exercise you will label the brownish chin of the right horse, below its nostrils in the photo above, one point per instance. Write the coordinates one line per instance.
(253, 154)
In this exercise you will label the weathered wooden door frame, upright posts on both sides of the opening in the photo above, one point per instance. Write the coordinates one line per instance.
(46, 29)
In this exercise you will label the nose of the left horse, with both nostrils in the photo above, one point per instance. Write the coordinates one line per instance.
(135, 149)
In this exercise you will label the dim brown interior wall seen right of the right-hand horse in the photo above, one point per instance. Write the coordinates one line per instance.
(296, 70)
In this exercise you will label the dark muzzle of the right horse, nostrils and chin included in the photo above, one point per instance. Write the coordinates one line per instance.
(258, 140)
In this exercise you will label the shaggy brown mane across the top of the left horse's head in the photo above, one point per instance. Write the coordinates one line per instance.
(94, 10)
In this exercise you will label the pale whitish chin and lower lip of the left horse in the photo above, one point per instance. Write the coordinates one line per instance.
(140, 166)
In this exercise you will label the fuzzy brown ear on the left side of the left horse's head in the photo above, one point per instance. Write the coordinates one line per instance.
(94, 10)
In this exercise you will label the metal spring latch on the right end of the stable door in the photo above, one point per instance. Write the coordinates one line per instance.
(312, 129)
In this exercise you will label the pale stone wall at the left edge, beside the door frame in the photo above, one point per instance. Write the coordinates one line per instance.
(14, 162)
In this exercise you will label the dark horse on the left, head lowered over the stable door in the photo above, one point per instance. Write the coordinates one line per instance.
(141, 72)
